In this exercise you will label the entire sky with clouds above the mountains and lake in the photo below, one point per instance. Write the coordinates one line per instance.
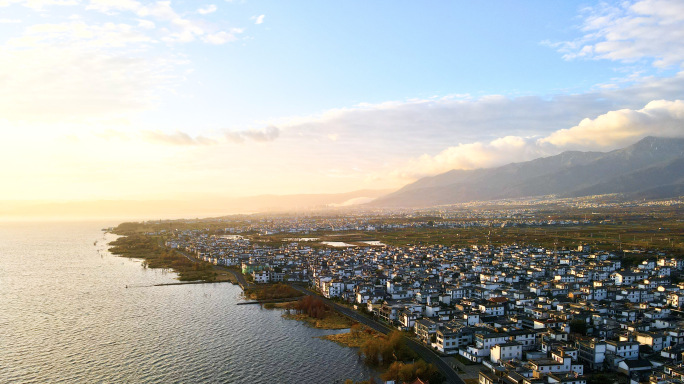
(128, 99)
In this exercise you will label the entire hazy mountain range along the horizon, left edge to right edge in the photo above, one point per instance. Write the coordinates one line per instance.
(651, 168)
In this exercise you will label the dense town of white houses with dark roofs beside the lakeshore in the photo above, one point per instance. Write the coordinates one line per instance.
(528, 315)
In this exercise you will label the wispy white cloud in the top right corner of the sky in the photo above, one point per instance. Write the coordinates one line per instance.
(651, 30)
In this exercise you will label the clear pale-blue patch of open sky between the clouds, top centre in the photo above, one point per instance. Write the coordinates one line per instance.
(344, 53)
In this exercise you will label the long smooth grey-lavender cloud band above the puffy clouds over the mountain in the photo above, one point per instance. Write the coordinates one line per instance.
(426, 126)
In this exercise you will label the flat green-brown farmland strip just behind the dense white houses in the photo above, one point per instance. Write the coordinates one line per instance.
(609, 231)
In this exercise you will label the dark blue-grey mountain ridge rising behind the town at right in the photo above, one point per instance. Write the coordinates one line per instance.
(653, 167)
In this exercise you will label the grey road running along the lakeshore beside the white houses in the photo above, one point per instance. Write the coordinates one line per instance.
(424, 352)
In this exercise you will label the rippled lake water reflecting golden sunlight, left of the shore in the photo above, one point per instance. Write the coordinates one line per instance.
(67, 316)
